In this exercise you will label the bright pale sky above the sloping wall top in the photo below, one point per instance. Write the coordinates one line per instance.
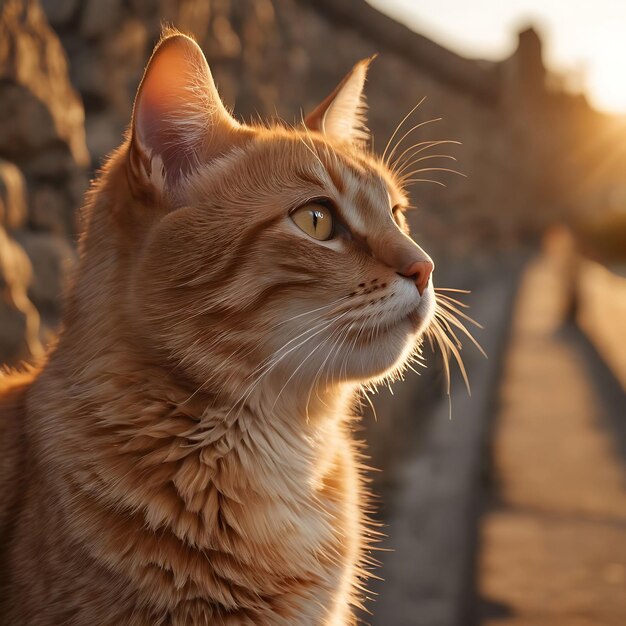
(583, 39)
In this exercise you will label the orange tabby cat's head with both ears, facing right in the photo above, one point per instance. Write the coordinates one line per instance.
(270, 254)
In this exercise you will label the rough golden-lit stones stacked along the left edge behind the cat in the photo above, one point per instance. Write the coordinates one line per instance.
(43, 174)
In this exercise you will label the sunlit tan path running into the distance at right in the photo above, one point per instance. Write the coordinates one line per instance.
(554, 543)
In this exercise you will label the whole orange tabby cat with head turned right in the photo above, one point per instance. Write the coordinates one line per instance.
(184, 456)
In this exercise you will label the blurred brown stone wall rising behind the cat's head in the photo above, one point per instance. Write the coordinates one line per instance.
(270, 57)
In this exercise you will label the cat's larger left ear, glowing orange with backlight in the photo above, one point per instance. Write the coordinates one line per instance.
(178, 118)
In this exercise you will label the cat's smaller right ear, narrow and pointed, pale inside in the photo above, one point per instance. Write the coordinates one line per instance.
(341, 116)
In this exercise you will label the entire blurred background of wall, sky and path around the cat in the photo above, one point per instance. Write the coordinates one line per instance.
(504, 508)
